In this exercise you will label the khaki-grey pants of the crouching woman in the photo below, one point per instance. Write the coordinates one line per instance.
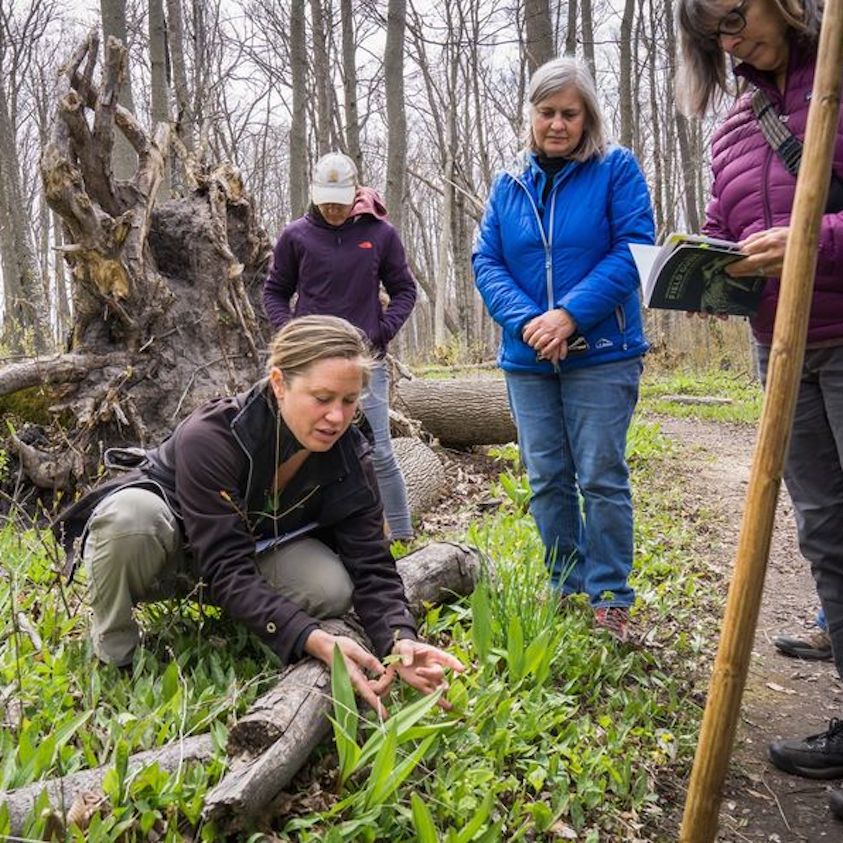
(134, 554)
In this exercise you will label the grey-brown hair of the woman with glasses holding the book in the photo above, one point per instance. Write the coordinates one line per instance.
(702, 78)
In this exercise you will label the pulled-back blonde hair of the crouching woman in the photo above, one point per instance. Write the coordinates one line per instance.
(308, 339)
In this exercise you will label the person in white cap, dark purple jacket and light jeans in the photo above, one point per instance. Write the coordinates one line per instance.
(335, 257)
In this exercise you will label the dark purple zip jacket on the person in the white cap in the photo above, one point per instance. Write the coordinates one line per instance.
(336, 271)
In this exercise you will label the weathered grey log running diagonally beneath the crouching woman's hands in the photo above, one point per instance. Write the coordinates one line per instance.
(285, 726)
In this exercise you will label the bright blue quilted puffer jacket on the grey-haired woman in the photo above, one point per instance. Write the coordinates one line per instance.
(571, 252)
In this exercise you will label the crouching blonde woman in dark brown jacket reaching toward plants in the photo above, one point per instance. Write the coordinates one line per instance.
(267, 503)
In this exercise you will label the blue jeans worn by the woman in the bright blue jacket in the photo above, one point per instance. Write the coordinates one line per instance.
(572, 437)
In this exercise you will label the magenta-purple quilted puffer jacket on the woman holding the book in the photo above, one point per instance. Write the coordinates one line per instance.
(753, 191)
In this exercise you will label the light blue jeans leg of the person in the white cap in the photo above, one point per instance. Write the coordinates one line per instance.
(375, 405)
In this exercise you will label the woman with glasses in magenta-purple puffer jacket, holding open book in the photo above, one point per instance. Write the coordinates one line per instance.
(772, 46)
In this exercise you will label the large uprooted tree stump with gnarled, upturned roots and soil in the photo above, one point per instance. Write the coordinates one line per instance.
(163, 293)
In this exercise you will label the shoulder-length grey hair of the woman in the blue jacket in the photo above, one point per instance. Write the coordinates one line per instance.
(568, 72)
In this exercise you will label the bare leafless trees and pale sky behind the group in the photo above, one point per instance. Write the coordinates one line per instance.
(427, 97)
